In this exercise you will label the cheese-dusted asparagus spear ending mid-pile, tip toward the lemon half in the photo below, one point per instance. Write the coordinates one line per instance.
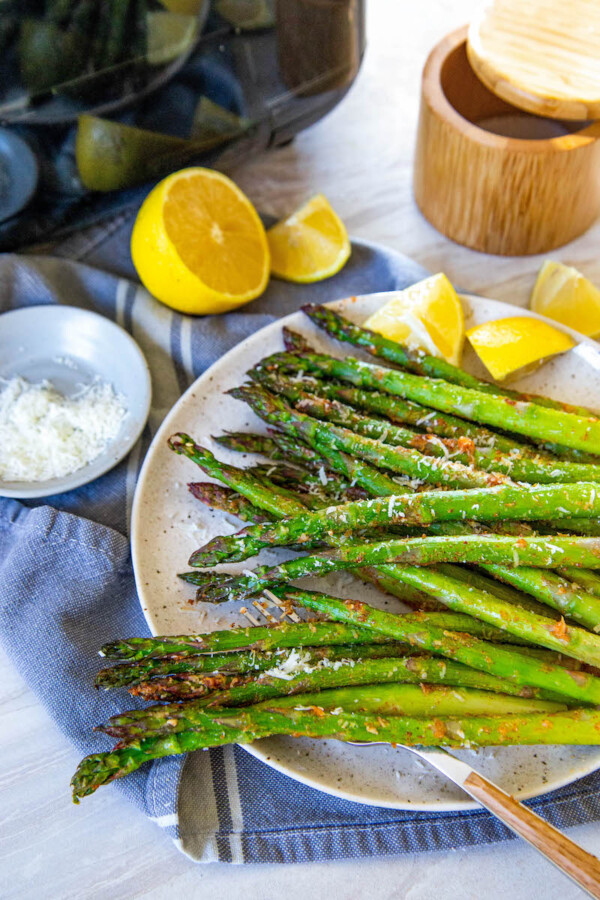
(322, 436)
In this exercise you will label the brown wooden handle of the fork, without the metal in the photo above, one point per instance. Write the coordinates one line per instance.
(582, 867)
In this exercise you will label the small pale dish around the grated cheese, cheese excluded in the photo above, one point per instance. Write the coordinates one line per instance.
(71, 348)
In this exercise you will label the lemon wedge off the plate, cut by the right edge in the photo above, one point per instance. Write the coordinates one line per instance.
(563, 294)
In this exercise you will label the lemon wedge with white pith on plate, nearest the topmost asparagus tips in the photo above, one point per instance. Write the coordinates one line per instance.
(426, 316)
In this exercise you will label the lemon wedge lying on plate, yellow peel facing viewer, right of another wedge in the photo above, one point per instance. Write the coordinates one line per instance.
(507, 345)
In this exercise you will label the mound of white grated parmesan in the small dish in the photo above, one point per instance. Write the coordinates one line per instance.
(46, 435)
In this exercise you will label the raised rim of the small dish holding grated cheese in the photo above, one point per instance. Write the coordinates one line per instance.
(91, 471)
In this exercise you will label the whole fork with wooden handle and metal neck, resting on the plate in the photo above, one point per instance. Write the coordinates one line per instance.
(580, 866)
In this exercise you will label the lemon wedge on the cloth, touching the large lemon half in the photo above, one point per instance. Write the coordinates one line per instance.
(310, 245)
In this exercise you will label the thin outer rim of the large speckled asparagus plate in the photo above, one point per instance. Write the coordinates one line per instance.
(255, 749)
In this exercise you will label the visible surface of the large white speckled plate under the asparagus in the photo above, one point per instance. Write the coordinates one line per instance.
(168, 523)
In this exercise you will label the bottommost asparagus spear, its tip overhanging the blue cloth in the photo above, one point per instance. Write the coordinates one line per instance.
(249, 724)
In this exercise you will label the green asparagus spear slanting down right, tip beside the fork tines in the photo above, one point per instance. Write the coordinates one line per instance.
(471, 651)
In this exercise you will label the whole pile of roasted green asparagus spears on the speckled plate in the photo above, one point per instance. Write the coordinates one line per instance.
(476, 506)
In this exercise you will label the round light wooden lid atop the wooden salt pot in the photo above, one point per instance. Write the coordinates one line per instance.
(540, 55)
